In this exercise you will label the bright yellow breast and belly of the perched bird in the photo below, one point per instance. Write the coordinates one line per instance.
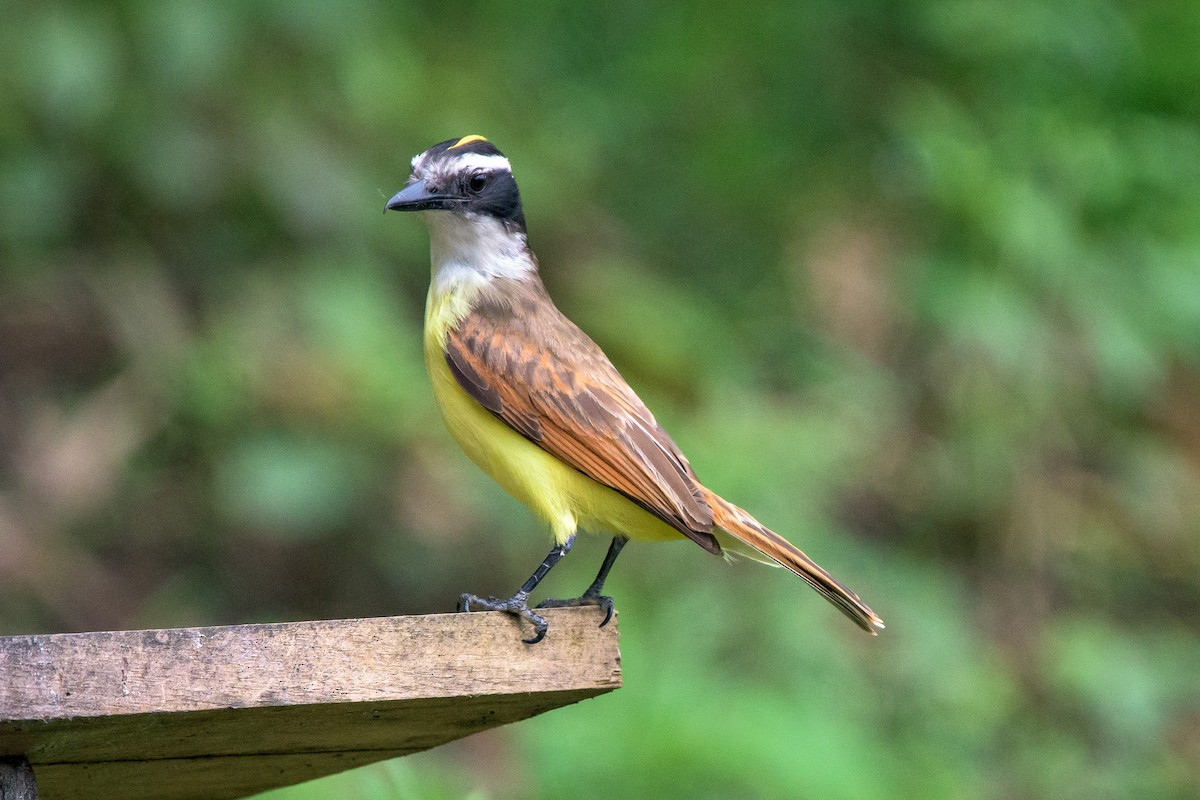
(556, 492)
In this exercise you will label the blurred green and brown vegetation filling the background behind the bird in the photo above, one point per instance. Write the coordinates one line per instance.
(919, 284)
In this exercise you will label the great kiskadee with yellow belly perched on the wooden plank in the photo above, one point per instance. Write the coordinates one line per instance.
(539, 407)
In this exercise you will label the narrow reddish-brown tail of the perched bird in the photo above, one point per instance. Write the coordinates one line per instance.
(749, 532)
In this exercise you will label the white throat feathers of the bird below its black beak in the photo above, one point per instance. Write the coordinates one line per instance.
(470, 250)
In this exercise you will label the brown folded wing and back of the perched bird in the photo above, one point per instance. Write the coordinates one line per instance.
(535, 370)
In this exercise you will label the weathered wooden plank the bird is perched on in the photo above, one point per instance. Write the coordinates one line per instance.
(227, 712)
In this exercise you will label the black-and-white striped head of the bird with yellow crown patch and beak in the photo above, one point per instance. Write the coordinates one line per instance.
(466, 177)
